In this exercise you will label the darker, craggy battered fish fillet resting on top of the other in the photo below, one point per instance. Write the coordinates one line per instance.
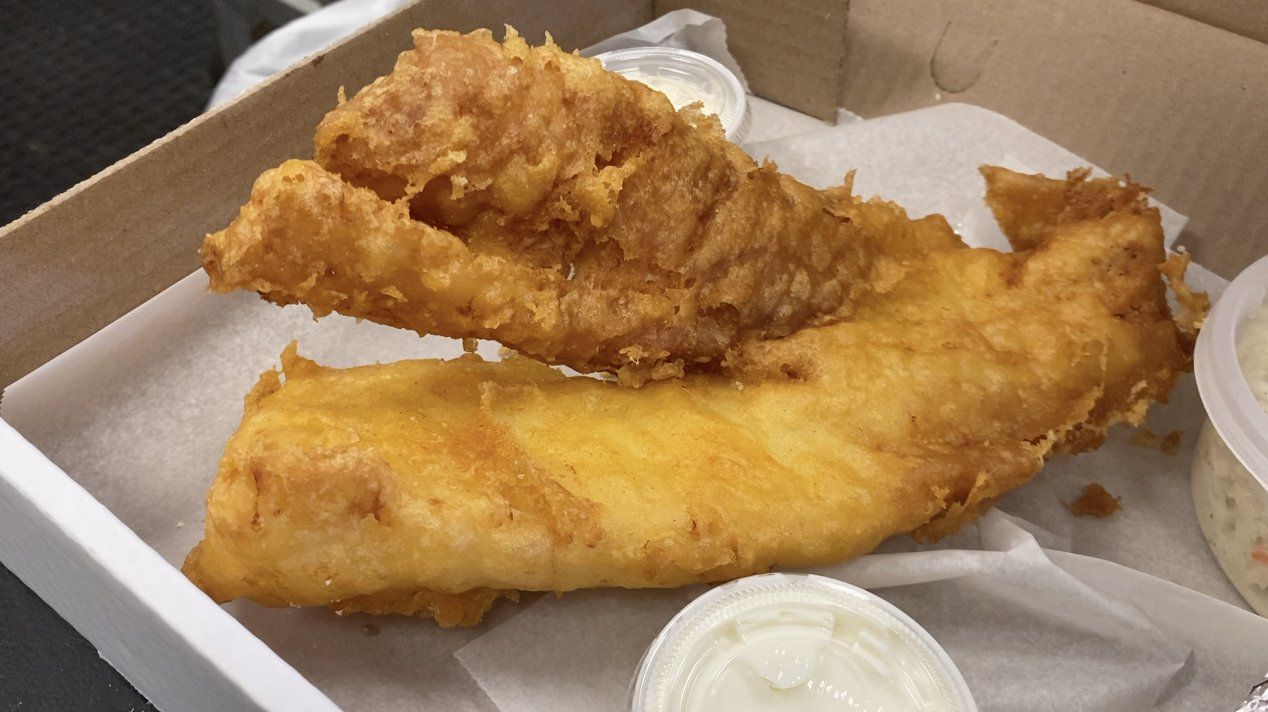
(621, 234)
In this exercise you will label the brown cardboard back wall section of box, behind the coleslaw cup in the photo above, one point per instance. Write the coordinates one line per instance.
(1176, 103)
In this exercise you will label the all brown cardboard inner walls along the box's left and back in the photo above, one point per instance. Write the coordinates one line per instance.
(1179, 103)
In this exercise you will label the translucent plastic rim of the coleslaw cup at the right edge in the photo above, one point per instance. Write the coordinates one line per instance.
(1231, 405)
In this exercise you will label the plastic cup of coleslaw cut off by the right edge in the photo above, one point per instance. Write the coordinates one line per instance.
(1231, 463)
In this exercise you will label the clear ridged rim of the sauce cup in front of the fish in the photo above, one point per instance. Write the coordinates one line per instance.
(669, 652)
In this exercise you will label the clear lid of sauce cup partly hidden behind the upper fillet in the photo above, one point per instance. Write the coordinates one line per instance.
(685, 78)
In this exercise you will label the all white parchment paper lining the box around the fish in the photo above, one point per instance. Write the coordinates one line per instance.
(1040, 610)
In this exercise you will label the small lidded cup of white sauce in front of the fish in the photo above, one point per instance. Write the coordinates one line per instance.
(799, 644)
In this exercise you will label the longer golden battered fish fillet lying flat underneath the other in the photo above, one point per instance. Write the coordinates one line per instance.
(434, 487)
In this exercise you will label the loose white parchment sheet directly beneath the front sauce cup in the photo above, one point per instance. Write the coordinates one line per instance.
(1030, 629)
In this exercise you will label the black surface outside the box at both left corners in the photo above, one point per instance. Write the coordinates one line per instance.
(83, 84)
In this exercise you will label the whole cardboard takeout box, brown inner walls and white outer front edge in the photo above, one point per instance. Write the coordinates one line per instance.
(1174, 92)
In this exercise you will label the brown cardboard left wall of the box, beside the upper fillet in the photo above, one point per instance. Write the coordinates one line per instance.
(91, 255)
